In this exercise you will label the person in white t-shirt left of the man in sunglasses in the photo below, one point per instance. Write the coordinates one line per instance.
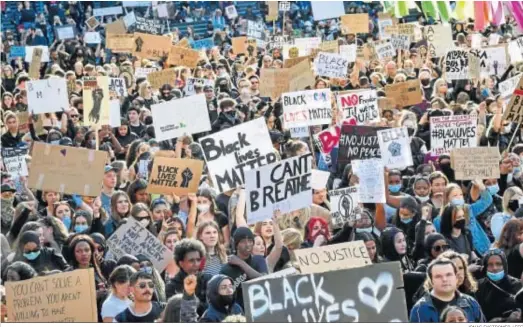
(118, 300)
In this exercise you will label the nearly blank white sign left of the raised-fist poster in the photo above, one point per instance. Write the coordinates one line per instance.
(47, 95)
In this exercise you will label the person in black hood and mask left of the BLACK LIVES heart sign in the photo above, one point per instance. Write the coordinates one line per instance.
(220, 297)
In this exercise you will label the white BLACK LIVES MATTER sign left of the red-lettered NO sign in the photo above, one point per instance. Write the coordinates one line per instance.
(306, 108)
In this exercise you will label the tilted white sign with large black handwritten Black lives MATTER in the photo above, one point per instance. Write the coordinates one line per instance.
(232, 152)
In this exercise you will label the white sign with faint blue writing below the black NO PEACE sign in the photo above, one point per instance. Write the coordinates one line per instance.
(372, 182)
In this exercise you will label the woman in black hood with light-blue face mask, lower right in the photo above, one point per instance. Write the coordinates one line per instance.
(496, 292)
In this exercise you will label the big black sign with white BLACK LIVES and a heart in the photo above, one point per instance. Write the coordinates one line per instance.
(375, 294)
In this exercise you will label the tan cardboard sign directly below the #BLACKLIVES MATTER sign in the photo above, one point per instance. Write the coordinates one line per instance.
(475, 163)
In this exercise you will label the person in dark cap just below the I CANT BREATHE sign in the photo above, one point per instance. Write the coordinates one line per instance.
(244, 265)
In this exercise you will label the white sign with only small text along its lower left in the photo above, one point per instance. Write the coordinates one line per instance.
(180, 117)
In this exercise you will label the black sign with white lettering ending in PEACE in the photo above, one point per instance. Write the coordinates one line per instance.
(358, 142)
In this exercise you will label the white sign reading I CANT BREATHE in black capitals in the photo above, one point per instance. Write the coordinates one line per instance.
(285, 185)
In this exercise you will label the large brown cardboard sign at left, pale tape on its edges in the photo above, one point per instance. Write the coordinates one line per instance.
(63, 169)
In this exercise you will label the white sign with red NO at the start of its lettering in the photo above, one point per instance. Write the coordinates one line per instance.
(363, 105)
